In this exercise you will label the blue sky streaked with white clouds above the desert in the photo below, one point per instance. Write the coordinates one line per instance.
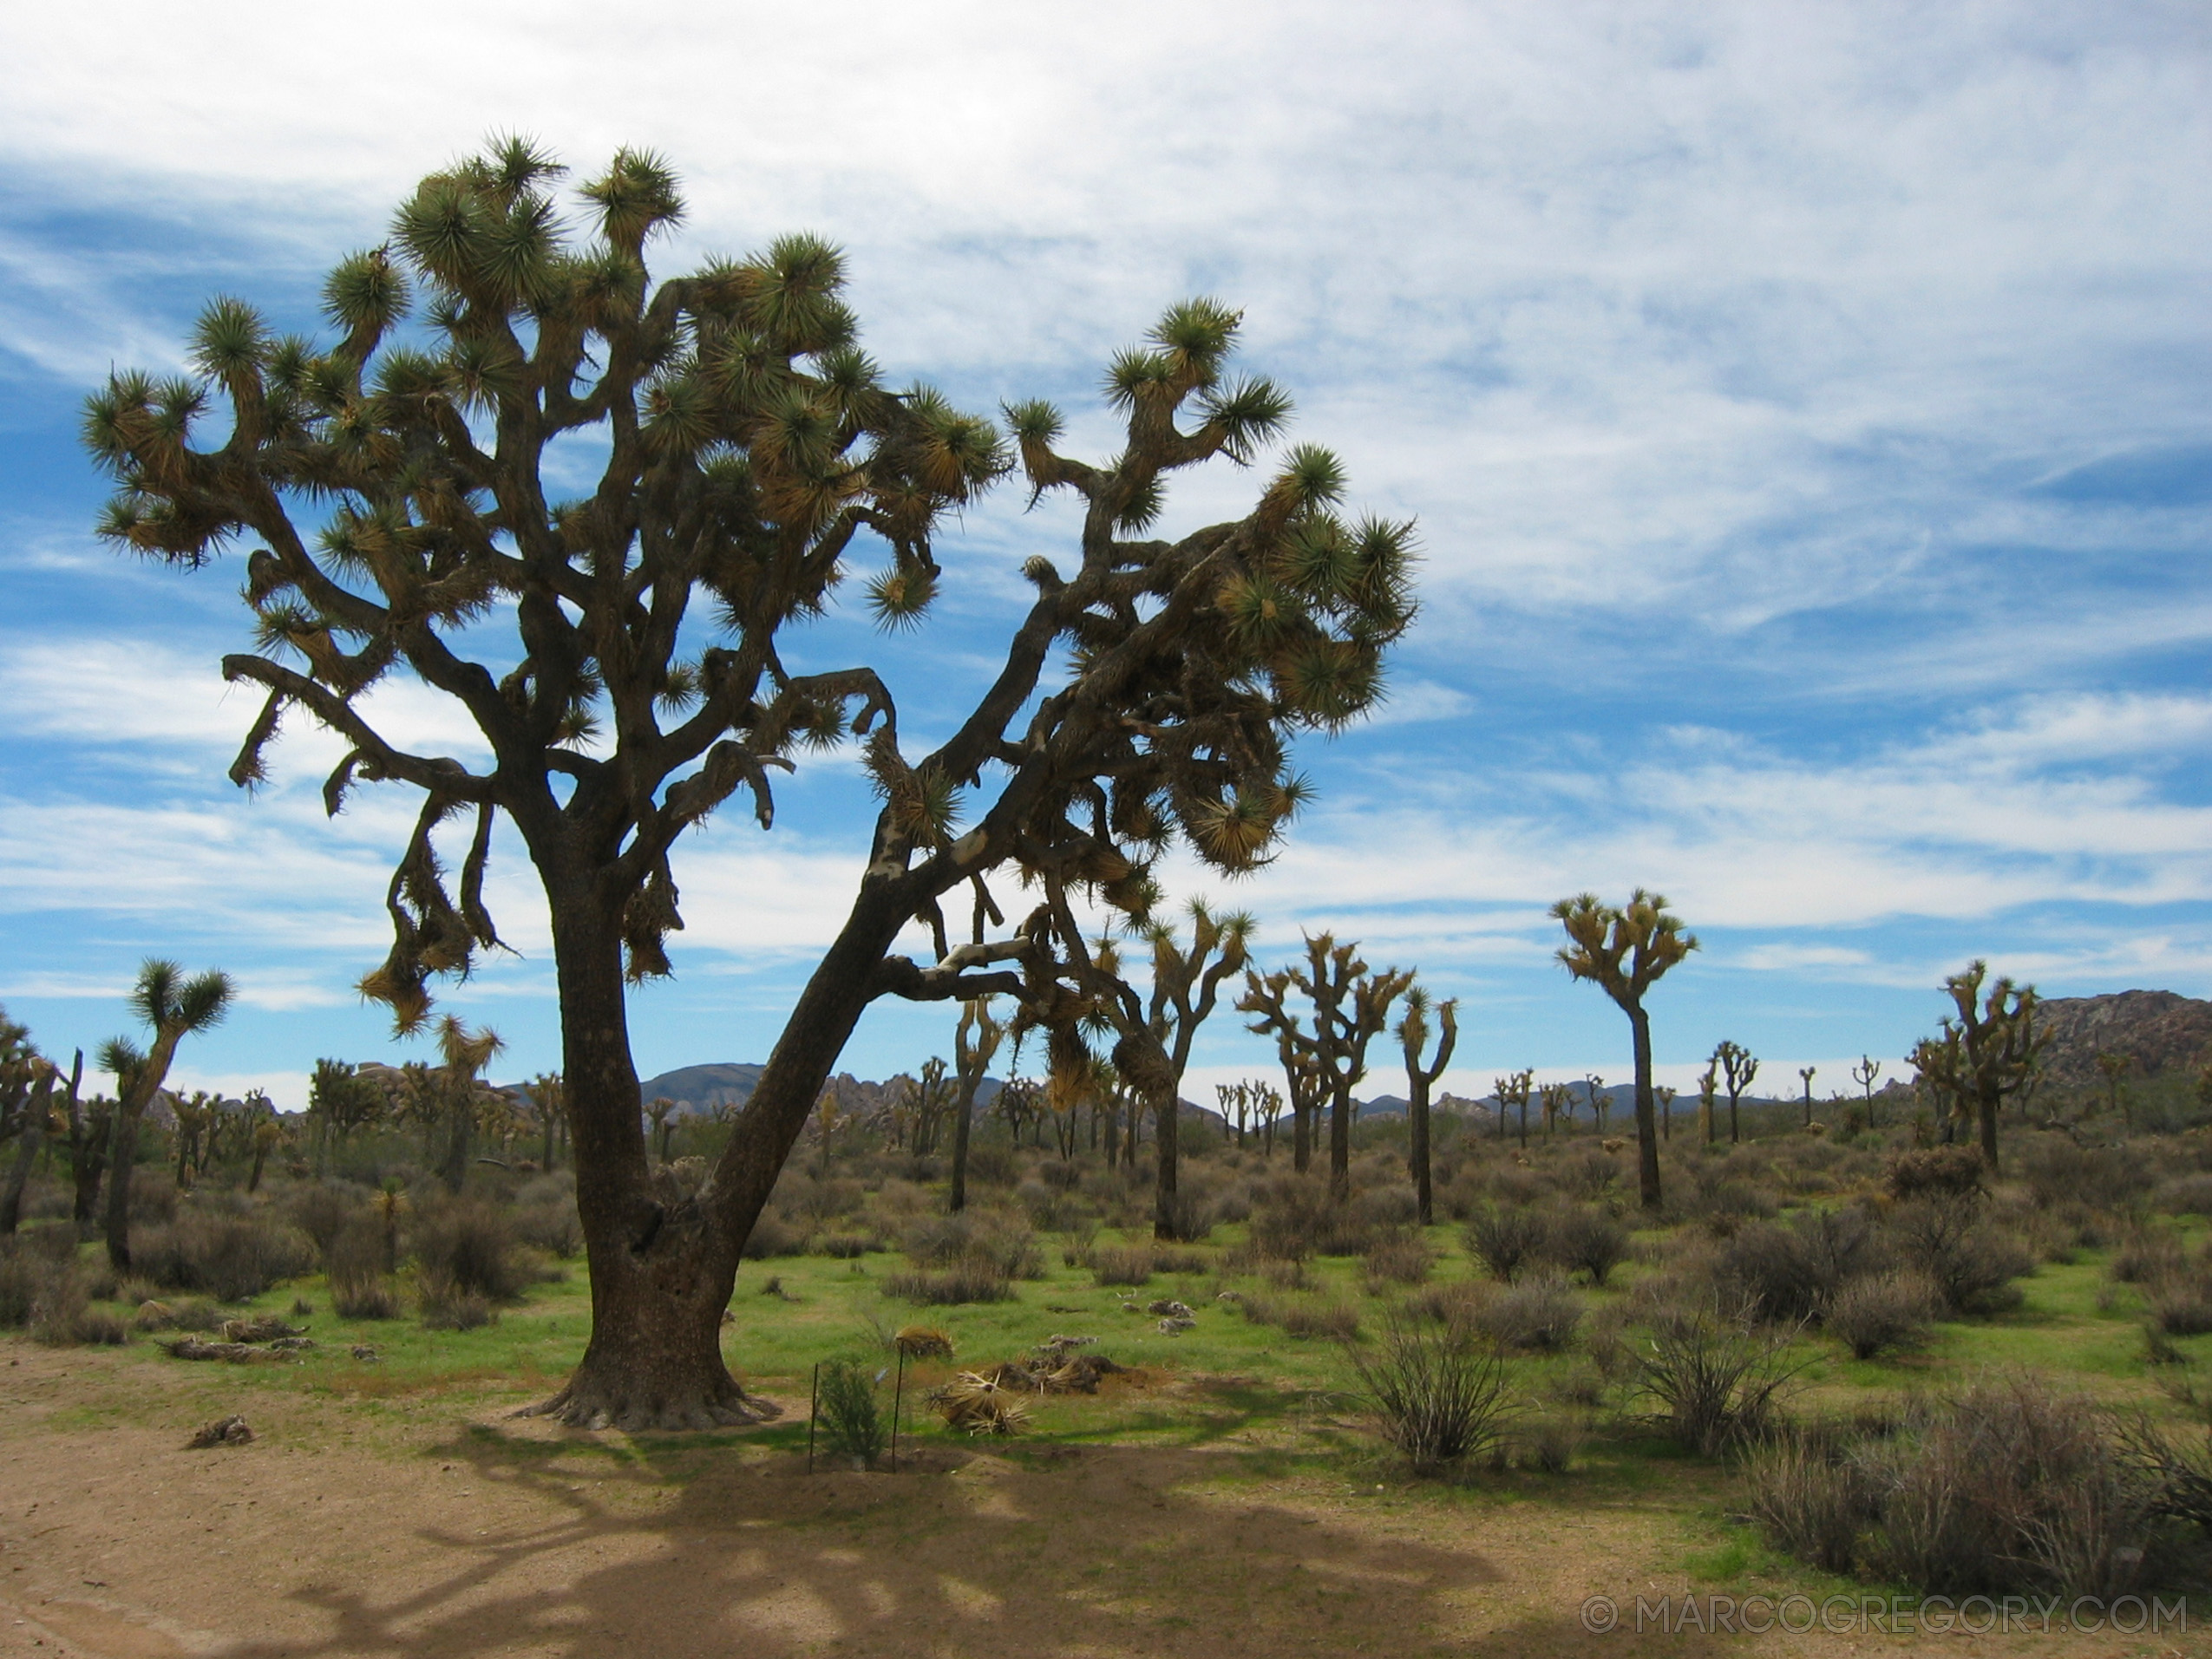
(1806, 413)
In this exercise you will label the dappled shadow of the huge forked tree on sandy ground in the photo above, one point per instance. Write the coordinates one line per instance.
(1074, 1552)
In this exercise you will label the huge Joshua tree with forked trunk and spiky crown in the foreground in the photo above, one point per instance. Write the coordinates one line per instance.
(620, 651)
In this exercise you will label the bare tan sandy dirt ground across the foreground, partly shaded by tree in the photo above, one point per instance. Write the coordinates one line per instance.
(444, 1532)
